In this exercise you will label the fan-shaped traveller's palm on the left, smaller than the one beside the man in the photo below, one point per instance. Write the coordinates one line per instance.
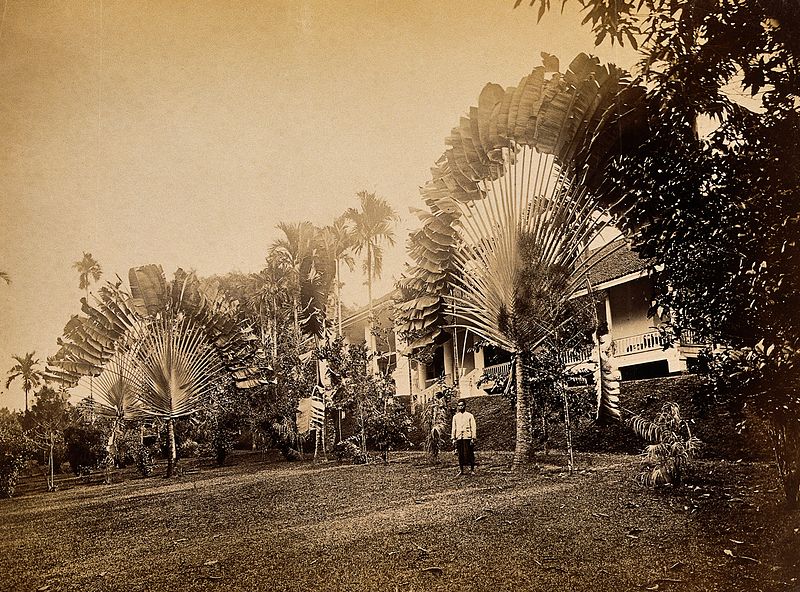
(170, 338)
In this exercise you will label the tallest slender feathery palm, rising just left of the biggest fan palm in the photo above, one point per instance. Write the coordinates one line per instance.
(371, 225)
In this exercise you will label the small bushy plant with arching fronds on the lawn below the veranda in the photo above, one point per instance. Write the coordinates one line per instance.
(672, 446)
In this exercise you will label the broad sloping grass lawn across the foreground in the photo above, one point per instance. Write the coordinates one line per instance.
(263, 524)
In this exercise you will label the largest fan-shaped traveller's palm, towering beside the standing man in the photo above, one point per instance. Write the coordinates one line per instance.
(510, 223)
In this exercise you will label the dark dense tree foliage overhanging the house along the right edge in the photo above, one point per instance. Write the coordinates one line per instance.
(709, 181)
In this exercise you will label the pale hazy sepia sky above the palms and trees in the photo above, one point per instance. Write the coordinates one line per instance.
(181, 133)
